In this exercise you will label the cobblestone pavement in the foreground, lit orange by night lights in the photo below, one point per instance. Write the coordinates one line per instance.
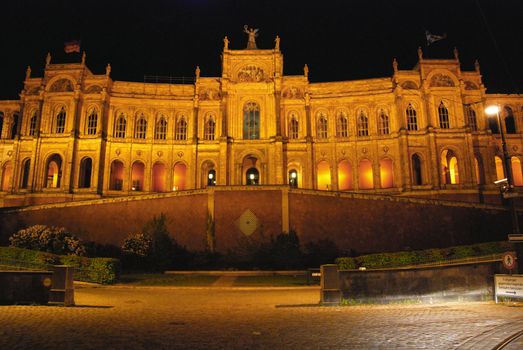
(229, 318)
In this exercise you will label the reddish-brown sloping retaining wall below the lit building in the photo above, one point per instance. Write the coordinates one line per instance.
(365, 223)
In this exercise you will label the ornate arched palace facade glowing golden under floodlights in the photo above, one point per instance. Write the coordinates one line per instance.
(422, 132)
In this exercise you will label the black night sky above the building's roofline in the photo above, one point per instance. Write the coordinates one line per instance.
(339, 40)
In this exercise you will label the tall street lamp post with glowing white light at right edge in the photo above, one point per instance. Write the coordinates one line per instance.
(515, 236)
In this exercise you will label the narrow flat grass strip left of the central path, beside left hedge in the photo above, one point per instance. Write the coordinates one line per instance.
(160, 279)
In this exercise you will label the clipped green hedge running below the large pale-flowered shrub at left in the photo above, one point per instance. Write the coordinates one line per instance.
(97, 270)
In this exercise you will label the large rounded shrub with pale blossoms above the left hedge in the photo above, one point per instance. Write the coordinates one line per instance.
(56, 240)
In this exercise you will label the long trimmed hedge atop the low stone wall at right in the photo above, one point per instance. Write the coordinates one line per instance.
(415, 257)
